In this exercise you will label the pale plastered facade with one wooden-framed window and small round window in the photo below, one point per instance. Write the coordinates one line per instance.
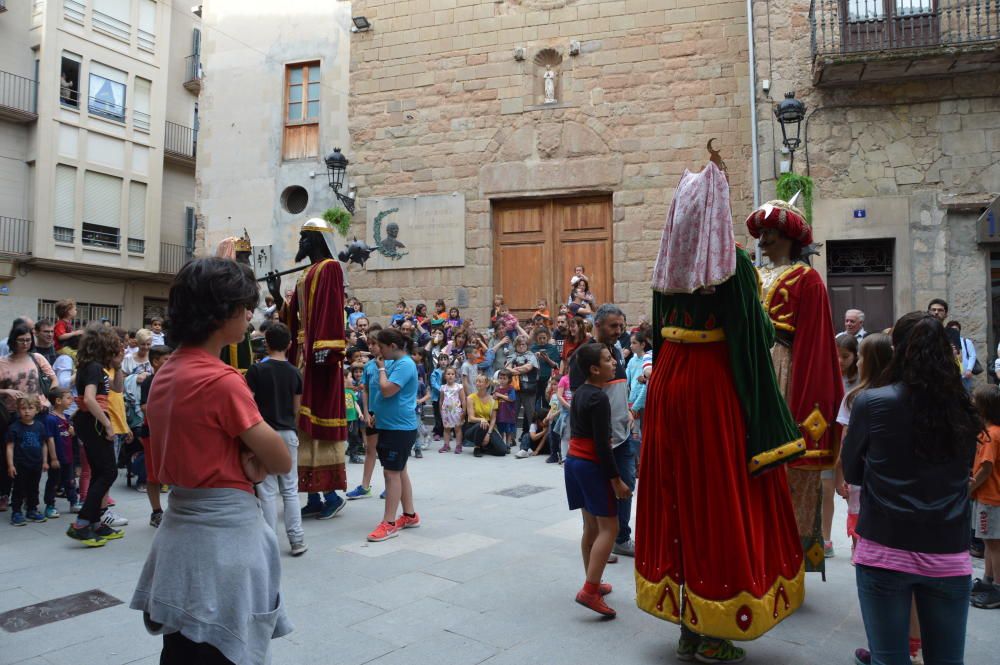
(273, 105)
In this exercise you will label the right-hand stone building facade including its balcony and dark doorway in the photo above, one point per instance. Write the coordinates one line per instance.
(902, 139)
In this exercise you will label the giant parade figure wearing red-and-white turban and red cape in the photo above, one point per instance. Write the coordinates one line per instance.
(805, 360)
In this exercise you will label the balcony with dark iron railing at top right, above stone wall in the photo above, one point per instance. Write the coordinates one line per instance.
(869, 41)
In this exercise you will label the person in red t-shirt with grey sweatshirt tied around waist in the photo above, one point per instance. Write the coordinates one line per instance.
(211, 581)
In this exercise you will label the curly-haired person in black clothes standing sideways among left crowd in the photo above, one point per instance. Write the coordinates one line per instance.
(100, 351)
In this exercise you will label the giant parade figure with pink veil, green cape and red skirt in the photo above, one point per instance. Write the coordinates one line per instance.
(716, 547)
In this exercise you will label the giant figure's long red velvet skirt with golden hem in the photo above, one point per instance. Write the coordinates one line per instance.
(715, 548)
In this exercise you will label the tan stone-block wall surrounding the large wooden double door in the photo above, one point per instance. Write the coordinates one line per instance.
(440, 104)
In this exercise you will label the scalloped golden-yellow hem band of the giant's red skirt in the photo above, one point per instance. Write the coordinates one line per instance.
(724, 618)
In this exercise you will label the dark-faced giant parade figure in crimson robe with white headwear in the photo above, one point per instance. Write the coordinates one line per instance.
(315, 316)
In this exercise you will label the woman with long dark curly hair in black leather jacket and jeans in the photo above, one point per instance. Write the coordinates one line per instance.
(910, 446)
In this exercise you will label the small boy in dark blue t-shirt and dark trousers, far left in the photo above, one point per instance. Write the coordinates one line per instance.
(29, 449)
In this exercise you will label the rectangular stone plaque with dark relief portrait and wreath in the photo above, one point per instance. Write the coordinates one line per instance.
(416, 231)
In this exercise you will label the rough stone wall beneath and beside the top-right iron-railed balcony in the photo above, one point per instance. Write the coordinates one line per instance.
(927, 139)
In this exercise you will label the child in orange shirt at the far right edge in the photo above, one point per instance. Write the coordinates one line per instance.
(984, 488)
